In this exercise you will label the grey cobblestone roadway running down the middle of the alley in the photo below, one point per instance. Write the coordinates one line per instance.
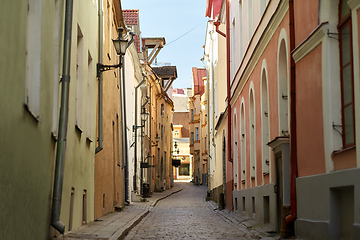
(185, 215)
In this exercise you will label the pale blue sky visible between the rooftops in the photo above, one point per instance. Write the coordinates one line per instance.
(173, 19)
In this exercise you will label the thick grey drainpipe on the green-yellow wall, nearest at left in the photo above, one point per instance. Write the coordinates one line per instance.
(63, 122)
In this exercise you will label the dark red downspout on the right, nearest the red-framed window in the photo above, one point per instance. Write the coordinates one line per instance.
(293, 143)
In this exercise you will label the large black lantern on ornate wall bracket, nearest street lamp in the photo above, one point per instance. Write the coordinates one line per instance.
(120, 45)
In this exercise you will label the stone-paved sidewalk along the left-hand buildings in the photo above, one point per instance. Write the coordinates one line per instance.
(116, 225)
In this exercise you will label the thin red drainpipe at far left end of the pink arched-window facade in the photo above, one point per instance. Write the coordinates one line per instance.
(228, 84)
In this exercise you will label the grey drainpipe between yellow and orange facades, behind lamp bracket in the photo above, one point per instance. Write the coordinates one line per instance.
(100, 80)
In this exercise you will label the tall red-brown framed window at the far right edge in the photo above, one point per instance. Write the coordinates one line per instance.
(347, 76)
